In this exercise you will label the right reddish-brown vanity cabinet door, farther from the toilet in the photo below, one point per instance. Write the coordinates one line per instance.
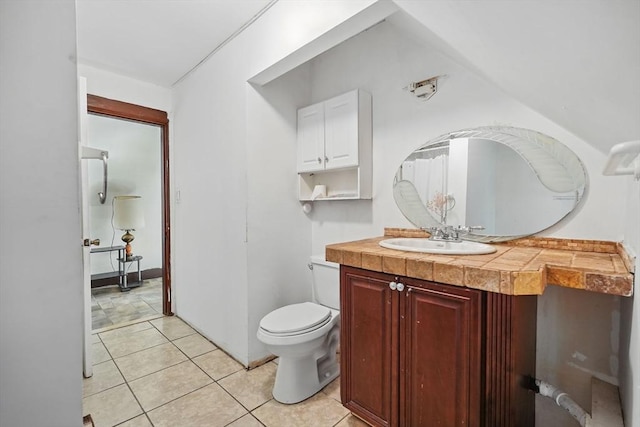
(440, 359)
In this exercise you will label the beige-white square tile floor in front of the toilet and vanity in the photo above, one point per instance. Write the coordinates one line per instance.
(163, 373)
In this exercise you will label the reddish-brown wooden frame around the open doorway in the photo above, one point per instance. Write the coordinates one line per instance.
(137, 113)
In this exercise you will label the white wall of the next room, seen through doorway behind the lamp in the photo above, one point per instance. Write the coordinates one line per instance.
(134, 168)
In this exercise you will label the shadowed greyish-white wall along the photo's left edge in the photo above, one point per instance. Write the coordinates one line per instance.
(41, 319)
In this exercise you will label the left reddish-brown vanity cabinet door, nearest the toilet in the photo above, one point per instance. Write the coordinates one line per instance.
(369, 346)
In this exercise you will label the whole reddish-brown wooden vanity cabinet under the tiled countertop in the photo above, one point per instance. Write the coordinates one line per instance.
(426, 354)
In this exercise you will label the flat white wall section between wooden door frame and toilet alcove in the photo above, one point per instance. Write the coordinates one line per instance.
(210, 232)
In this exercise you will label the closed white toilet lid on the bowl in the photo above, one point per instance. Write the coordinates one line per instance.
(295, 318)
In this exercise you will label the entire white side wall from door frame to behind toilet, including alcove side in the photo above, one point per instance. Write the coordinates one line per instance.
(241, 239)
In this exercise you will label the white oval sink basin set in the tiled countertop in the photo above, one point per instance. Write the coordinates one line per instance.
(413, 244)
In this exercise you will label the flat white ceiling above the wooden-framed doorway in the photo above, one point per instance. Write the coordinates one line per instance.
(158, 41)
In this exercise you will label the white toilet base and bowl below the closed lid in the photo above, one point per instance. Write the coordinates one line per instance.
(298, 378)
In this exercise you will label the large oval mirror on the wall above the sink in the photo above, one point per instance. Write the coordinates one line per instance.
(511, 182)
